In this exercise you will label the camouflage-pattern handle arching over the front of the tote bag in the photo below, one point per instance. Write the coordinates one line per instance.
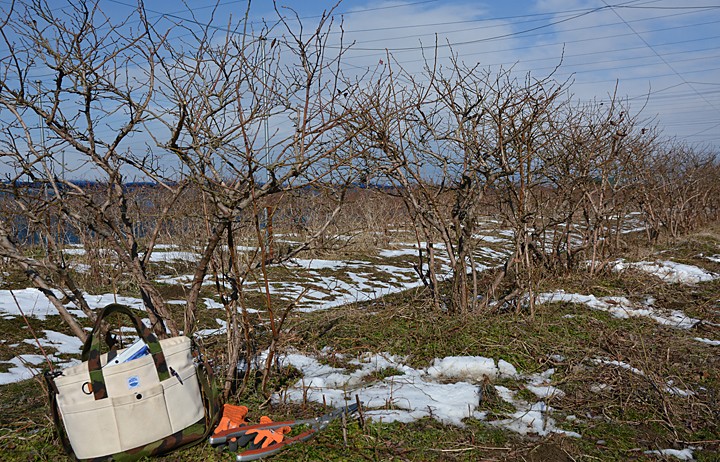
(91, 349)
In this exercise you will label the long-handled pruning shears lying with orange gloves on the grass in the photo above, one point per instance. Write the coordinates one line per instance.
(267, 437)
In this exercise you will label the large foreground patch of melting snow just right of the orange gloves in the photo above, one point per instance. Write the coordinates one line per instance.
(447, 390)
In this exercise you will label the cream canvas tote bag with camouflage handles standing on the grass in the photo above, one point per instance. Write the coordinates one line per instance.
(146, 406)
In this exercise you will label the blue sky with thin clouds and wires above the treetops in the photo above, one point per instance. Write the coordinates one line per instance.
(665, 52)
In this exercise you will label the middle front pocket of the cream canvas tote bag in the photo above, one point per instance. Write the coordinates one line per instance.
(141, 417)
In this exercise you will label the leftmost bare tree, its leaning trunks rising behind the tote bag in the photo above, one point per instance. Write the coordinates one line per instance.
(98, 83)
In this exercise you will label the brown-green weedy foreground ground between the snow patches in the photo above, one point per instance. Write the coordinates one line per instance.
(630, 415)
